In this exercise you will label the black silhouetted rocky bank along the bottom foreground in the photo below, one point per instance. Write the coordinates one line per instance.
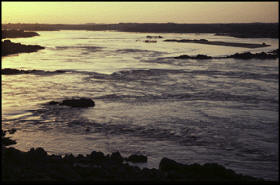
(37, 165)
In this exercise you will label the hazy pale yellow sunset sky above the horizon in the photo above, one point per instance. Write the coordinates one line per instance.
(138, 12)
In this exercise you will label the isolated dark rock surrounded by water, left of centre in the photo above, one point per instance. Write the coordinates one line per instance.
(76, 102)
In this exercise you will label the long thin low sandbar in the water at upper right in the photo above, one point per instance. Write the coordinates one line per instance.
(219, 43)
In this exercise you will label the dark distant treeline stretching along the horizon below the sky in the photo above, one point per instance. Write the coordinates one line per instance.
(248, 30)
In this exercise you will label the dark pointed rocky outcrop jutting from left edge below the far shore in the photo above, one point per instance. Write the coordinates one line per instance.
(9, 48)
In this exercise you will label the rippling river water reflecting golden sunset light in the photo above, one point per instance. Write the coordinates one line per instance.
(192, 111)
